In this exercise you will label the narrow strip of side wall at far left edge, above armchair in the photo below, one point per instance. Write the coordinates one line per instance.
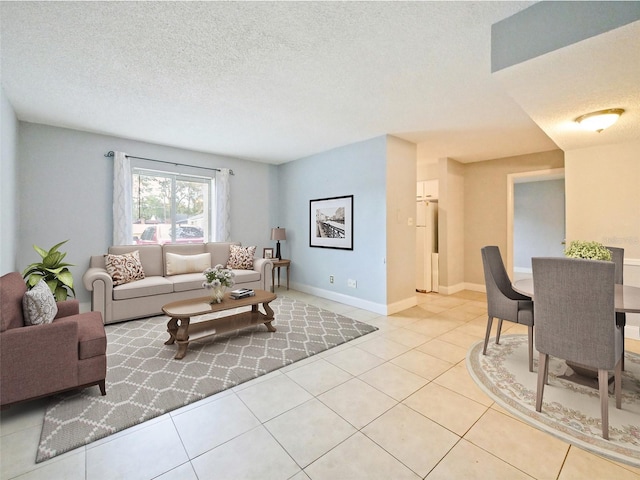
(8, 178)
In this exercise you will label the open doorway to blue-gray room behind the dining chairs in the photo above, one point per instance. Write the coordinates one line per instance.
(535, 218)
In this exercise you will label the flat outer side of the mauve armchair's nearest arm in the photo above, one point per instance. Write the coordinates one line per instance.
(38, 360)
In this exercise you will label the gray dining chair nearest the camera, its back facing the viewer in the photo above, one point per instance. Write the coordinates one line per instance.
(575, 321)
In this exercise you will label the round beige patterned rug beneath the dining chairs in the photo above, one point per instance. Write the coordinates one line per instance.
(570, 411)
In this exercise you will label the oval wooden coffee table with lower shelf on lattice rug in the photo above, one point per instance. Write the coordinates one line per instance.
(182, 331)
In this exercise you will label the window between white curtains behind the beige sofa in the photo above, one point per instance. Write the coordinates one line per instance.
(170, 207)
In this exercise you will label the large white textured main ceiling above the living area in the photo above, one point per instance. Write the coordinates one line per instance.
(271, 82)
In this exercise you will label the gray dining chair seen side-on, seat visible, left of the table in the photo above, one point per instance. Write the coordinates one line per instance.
(503, 302)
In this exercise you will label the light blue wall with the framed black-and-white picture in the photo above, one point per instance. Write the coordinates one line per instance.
(360, 170)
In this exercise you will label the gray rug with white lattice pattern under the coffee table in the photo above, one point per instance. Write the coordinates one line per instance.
(144, 381)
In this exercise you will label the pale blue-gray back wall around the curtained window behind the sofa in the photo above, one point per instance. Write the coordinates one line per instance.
(66, 193)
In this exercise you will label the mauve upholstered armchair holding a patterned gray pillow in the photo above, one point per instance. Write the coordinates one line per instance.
(40, 360)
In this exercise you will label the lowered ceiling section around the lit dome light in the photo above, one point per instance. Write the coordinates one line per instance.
(598, 73)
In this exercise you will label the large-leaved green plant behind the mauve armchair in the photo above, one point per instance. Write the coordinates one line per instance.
(54, 272)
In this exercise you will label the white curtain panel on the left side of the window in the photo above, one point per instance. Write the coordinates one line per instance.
(122, 201)
